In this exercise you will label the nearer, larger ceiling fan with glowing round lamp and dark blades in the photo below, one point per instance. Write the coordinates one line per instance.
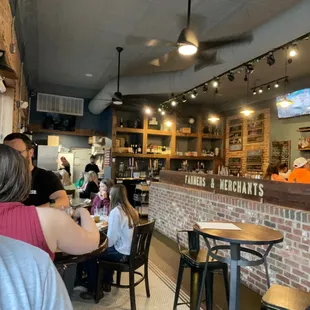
(203, 53)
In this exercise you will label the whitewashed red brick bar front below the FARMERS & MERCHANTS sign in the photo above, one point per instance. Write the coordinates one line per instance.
(176, 208)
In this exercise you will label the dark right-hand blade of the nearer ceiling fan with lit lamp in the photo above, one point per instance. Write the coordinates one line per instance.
(225, 41)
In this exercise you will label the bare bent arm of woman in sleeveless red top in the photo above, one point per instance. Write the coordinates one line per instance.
(61, 231)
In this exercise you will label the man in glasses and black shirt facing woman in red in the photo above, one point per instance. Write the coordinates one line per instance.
(46, 188)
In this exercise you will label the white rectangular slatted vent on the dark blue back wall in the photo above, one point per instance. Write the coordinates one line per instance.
(60, 104)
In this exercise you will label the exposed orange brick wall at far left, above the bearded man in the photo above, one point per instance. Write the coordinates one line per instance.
(14, 59)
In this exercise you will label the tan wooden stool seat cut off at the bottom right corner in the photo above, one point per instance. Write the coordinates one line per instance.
(280, 297)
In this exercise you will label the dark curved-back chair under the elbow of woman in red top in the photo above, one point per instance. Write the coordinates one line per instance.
(67, 264)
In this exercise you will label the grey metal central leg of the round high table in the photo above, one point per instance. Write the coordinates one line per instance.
(234, 299)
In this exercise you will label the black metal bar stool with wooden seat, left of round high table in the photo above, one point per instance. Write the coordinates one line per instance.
(195, 258)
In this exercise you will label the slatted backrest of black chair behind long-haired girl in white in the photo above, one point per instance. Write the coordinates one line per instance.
(140, 244)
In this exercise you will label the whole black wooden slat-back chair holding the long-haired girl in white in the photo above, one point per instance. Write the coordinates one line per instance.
(139, 255)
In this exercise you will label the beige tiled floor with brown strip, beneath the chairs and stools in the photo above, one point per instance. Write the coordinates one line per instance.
(164, 262)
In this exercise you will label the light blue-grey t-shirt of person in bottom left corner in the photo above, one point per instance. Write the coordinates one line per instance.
(29, 279)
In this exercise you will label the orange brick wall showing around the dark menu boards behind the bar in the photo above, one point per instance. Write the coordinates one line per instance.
(265, 145)
